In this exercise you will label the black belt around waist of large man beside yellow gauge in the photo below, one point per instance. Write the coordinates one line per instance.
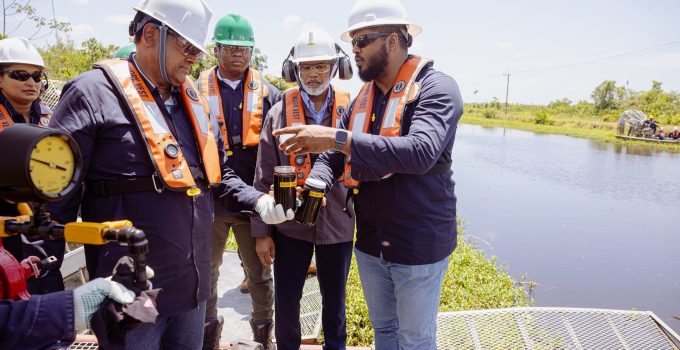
(103, 188)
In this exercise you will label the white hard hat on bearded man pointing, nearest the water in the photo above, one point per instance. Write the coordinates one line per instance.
(372, 13)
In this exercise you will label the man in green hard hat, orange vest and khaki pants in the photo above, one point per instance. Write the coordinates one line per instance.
(239, 98)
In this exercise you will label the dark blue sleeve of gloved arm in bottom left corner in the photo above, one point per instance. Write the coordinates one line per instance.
(42, 322)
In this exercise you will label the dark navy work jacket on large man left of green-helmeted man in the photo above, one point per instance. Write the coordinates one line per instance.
(176, 225)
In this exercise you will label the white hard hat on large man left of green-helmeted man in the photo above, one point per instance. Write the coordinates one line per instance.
(188, 18)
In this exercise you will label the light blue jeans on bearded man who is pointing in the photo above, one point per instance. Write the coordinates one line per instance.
(402, 301)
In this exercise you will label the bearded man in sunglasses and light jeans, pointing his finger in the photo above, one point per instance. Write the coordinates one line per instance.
(396, 156)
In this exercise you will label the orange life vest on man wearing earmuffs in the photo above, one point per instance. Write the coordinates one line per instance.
(295, 115)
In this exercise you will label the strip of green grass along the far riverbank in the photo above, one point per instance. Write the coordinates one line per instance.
(561, 124)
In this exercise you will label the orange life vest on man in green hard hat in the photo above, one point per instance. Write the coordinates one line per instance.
(254, 92)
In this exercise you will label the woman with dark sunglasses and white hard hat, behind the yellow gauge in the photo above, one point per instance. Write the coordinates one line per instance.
(22, 79)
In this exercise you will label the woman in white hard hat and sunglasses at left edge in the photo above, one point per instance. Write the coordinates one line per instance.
(21, 77)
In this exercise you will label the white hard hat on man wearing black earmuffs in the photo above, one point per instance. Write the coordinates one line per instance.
(314, 45)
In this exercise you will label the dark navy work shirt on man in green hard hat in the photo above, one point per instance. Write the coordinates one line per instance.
(243, 159)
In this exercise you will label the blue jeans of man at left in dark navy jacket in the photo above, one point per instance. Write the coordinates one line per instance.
(183, 331)
